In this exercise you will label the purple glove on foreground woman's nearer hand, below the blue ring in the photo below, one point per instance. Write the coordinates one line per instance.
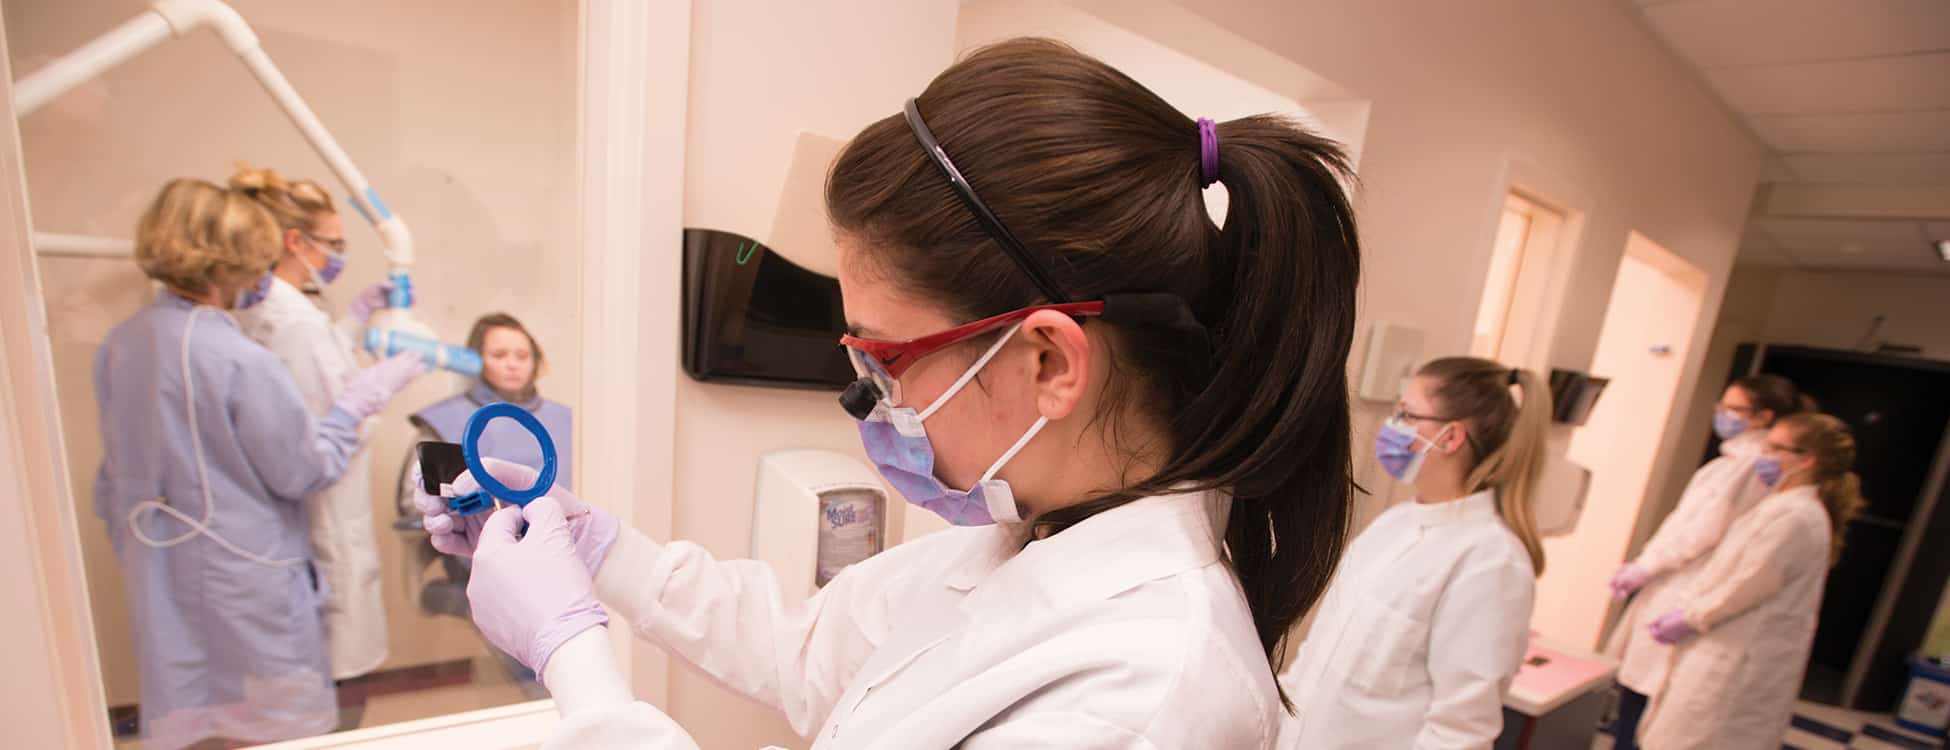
(531, 595)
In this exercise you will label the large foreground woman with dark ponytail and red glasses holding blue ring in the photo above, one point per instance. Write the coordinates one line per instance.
(1068, 359)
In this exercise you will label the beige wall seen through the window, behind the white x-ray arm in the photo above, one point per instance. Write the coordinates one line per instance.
(467, 133)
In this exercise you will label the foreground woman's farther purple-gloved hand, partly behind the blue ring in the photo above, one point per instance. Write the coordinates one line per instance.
(592, 529)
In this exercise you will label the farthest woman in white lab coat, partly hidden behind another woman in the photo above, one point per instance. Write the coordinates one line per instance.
(1719, 494)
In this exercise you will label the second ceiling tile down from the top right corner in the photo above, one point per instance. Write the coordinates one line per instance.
(1906, 83)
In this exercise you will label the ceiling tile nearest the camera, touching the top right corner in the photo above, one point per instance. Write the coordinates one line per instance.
(1746, 32)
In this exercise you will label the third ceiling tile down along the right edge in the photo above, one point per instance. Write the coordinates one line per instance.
(1889, 133)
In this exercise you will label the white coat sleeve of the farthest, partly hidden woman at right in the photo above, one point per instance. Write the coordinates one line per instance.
(1707, 509)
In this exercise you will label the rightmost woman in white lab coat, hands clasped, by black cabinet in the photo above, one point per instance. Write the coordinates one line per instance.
(1736, 640)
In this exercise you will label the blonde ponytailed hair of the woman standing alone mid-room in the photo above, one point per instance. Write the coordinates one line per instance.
(1508, 437)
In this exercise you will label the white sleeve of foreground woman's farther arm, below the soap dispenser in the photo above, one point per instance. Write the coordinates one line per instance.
(732, 622)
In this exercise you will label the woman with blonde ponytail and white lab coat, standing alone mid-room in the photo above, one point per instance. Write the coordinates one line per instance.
(1430, 615)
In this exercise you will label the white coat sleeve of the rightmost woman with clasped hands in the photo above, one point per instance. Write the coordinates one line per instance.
(1764, 568)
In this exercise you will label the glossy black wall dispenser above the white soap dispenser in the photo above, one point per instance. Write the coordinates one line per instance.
(756, 319)
